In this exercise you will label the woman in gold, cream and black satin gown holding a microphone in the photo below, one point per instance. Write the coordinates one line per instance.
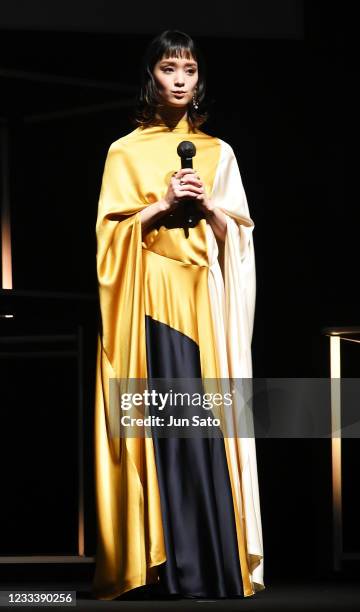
(180, 514)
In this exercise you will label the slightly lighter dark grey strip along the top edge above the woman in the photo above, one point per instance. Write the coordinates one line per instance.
(248, 18)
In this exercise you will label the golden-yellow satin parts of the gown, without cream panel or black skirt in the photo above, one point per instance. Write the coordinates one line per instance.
(161, 278)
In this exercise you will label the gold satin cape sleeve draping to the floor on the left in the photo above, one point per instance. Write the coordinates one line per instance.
(130, 542)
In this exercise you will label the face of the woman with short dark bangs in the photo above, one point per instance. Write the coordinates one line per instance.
(176, 78)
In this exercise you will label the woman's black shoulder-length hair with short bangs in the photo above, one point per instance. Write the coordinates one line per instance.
(170, 43)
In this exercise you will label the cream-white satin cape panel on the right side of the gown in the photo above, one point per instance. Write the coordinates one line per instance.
(232, 288)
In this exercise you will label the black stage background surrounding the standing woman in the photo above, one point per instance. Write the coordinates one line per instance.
(68, 79)
